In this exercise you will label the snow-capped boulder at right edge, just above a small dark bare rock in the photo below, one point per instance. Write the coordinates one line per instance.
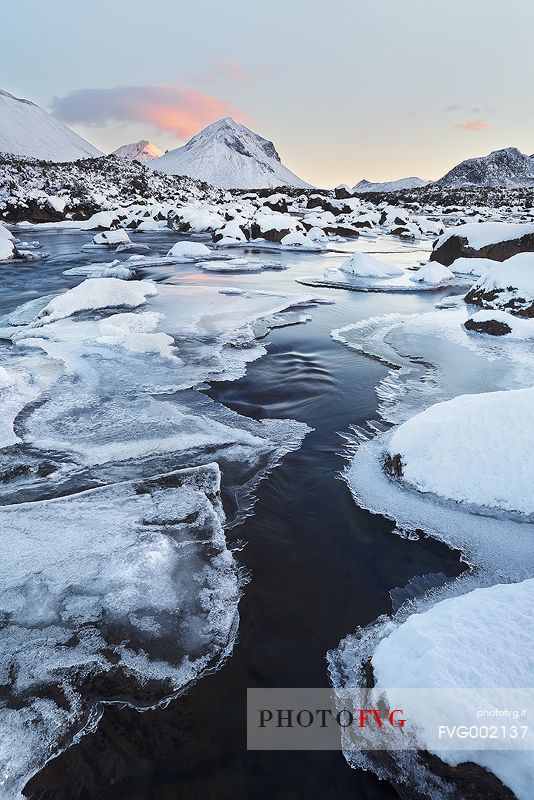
(508, 286)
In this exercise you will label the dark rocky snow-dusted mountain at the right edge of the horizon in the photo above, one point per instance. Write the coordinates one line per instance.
(508, 168)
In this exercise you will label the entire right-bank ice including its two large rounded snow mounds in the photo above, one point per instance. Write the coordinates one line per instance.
(472, 448)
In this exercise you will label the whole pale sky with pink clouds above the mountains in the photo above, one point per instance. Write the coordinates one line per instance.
(347, 89)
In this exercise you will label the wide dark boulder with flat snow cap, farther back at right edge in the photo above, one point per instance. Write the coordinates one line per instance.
(495, 240)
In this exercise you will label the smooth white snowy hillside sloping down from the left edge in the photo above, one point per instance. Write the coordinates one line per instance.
(28, 130)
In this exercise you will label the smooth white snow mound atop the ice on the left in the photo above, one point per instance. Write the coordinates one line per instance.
(96, 293)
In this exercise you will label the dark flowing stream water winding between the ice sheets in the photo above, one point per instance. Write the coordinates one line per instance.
(319, 567)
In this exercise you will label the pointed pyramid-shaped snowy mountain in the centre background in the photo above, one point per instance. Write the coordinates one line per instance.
(229, 155)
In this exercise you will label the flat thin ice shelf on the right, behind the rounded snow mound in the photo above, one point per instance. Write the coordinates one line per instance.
(434, 358)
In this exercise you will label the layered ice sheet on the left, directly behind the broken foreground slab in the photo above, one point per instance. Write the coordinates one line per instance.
(116, 388)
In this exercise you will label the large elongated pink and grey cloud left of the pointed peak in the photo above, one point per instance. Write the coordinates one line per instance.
(174, 109)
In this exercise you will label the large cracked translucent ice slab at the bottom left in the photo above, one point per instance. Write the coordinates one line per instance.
(127, 591)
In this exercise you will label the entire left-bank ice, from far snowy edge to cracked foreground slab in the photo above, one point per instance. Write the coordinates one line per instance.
(127, 590)
